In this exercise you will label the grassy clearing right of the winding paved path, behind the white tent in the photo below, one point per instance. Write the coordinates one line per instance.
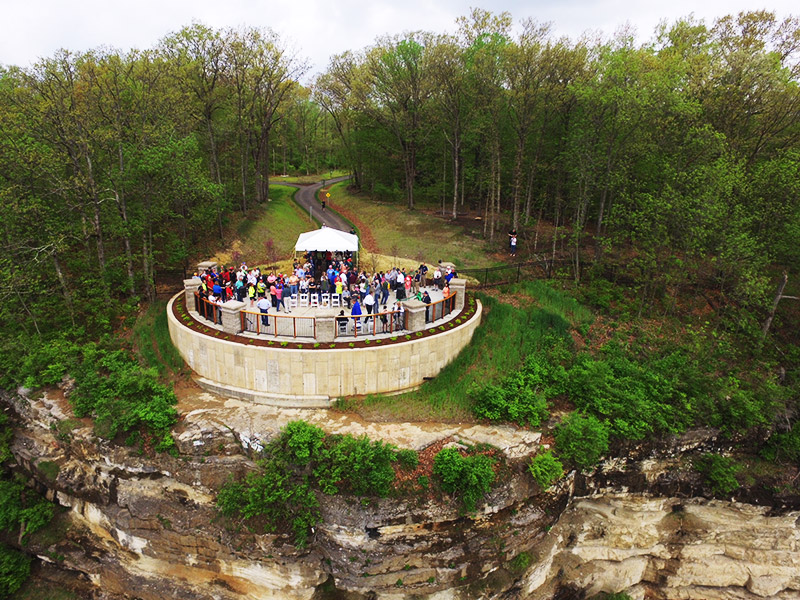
(412, 234)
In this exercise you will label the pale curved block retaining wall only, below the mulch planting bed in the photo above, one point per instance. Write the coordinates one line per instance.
(316, 375)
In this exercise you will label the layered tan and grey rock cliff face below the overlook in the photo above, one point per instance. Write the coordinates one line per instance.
(147, 528)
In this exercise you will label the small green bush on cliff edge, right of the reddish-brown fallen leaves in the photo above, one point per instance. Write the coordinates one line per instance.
(468, 476)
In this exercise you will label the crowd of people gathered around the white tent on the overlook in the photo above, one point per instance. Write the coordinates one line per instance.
(327, 276)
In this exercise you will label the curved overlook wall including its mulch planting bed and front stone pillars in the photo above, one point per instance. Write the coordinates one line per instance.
(308, 372)
